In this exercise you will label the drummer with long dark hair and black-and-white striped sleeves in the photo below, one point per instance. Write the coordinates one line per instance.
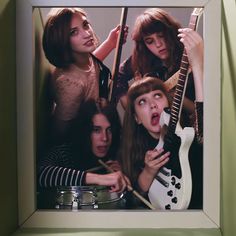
(94, 135)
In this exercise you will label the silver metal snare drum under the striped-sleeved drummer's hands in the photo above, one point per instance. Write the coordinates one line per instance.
(88, 197)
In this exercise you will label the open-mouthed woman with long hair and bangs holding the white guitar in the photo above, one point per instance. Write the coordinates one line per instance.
(141, 161)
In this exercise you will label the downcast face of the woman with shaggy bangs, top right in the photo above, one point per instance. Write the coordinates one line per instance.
(157, 45)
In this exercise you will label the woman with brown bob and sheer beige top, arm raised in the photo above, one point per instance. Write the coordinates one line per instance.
(71, 45)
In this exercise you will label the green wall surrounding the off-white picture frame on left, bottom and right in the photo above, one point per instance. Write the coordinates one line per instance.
(8, 171)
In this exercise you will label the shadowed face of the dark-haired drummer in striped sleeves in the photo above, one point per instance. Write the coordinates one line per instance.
(101, 136)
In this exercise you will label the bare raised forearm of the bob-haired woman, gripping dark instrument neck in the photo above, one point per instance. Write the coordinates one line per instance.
(109, 44)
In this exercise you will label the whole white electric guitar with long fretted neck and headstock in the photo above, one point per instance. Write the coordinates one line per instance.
(172, 187)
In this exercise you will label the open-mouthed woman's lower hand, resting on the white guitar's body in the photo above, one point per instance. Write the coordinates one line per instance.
(154, 160)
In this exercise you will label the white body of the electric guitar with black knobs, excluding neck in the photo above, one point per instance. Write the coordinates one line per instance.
(169, 191)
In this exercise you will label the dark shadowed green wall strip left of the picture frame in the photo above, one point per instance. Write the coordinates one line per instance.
(8, 173)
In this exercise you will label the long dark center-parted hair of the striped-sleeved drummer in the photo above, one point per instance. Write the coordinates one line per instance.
(82, 127)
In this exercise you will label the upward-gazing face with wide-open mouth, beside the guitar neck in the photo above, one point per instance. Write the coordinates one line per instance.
(148, 108)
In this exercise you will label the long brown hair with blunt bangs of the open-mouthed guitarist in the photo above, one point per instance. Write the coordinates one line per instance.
(135, 136)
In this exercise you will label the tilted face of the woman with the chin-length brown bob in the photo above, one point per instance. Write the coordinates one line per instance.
(81, 34)
